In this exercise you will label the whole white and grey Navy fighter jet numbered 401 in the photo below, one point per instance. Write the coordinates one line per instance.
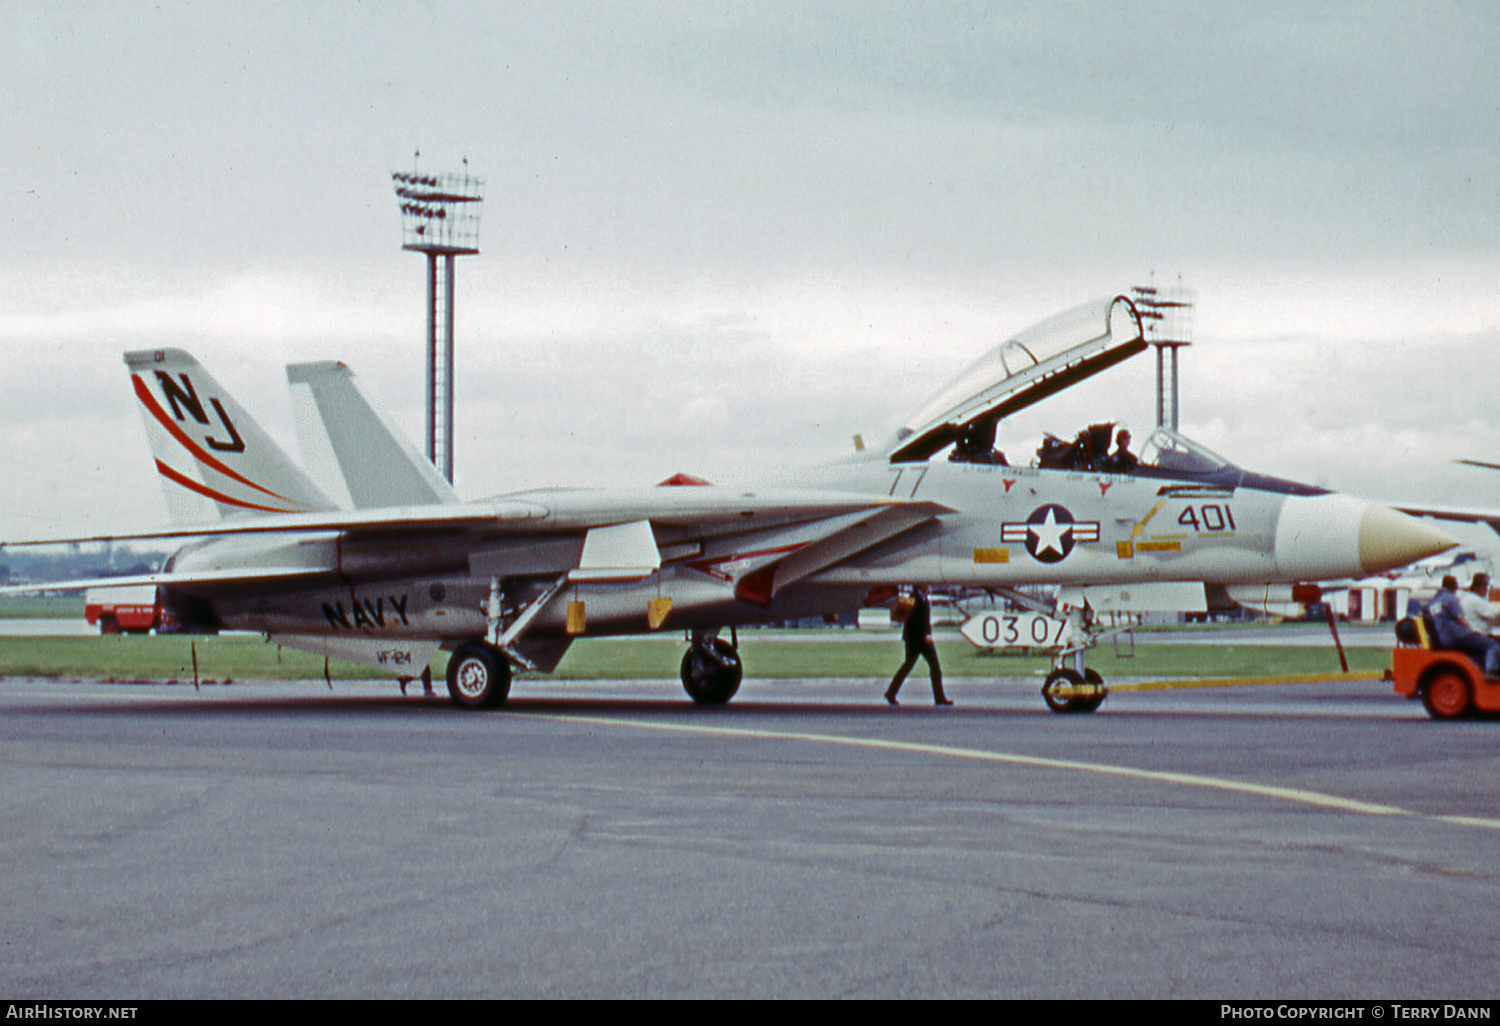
(379, 562)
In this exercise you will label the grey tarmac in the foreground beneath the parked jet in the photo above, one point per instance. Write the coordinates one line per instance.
(613, 841)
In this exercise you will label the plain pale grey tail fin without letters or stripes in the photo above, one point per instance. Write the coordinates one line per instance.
(353, 449)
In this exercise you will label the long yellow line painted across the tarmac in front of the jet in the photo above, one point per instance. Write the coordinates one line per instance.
(980, 755)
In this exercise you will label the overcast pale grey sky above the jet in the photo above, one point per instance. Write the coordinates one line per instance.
(722, 238)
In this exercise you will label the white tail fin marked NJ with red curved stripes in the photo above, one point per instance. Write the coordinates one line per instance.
(214, 460)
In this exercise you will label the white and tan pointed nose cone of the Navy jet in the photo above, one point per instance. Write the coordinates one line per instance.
(1337, 536)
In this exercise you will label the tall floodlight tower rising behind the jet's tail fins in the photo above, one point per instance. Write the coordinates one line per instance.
(440, 218)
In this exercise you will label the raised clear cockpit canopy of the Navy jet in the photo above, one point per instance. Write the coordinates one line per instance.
(1030, 367)
